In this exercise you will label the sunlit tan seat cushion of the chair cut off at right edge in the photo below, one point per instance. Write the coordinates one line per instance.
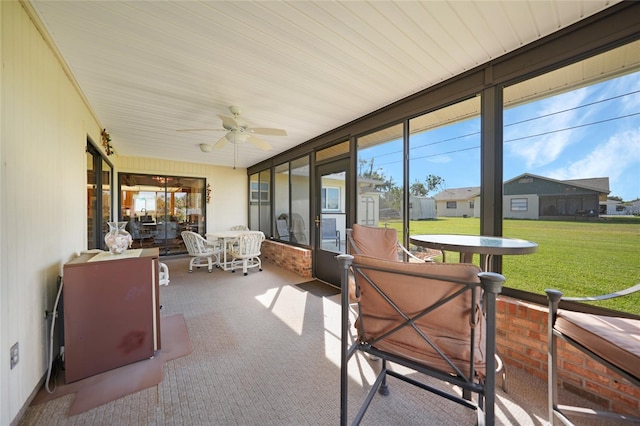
(615, 339)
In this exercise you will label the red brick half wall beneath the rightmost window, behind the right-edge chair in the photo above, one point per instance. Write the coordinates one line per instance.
(522, 343)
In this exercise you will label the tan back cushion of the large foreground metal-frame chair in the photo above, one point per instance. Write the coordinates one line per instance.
(447, 326)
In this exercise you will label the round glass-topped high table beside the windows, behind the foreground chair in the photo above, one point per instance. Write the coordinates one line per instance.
(467, 245)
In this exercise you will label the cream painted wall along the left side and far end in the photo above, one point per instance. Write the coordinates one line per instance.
(44, 126)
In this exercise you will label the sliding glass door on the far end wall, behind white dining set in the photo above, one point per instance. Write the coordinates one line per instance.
(159, 208)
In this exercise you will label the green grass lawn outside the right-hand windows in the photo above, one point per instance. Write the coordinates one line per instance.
(579, 258)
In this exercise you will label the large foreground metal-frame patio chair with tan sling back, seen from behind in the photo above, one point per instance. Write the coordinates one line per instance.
(433, 318)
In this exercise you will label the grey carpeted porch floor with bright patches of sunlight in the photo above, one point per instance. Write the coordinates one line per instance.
(267, 353)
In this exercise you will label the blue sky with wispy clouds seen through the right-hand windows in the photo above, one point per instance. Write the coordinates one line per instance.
(585, 133)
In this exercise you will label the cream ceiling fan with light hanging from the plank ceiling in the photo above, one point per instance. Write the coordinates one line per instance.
(238, 132)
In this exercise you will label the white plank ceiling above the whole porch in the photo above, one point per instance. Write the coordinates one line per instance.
(149, 68)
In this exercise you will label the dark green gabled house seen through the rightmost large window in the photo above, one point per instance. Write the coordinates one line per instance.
(532, 197)
